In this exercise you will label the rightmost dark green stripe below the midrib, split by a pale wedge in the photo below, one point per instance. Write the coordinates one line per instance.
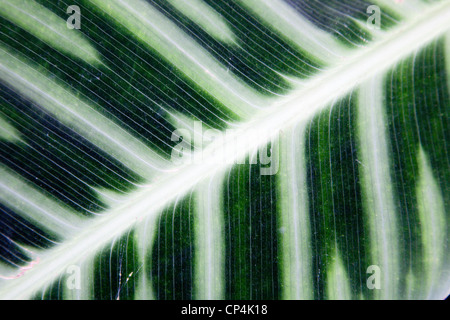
(418, 106)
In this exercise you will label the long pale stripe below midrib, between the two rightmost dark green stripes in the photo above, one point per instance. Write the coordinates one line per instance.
(378, 201)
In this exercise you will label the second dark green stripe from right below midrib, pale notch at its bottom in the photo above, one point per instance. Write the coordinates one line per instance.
(335, 197)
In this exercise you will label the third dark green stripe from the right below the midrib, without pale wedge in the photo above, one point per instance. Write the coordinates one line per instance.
(251, 261)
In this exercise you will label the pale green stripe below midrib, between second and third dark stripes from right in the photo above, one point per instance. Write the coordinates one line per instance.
(294, 220)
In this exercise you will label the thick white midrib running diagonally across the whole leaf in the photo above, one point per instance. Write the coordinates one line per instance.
(302, 104)
